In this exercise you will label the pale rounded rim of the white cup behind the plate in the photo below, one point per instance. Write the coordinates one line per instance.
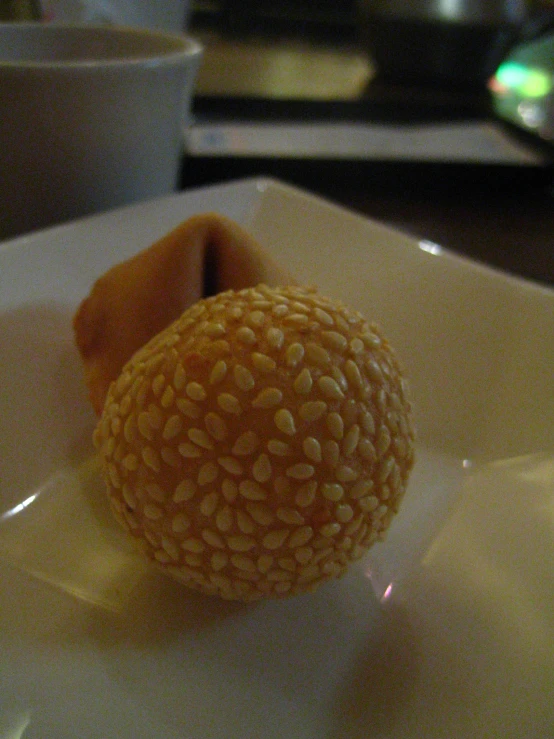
(179, 47)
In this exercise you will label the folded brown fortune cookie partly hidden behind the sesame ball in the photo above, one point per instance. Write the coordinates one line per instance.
(136, 299)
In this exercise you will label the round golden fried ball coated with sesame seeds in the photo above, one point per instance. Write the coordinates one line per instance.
(259, 444)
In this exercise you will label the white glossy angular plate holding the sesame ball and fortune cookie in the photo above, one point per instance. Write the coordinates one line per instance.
(446, 630)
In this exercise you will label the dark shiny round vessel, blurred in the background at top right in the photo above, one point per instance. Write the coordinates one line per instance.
(440, 41)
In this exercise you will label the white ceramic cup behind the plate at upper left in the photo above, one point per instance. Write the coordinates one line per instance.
(92, 117)
